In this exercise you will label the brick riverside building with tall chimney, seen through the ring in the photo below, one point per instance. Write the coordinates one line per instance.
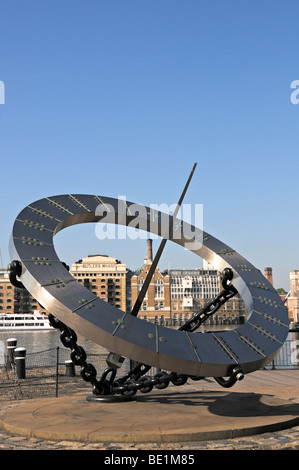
(176, 295)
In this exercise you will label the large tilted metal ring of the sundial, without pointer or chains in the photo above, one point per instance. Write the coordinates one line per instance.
(251, 345)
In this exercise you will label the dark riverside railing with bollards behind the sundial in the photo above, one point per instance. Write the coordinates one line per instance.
(52, 373)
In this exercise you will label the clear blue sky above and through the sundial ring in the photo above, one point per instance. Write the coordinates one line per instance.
(121, 97)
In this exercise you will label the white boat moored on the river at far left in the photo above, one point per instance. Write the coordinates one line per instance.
(24, 321)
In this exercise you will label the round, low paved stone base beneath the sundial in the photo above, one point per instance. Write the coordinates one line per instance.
(156, 417)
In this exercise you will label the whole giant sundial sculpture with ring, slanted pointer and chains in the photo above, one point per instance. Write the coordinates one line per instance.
(184, 353)
